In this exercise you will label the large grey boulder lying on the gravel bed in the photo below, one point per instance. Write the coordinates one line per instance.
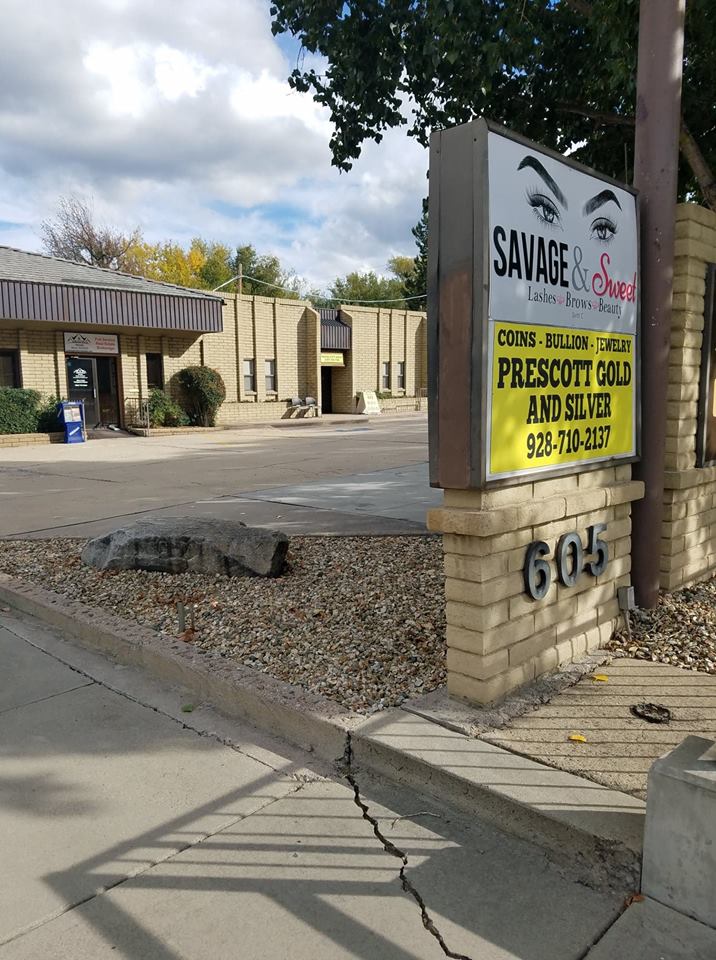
(190, 545)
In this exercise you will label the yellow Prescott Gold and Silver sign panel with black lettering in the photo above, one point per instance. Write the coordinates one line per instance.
(558, 396)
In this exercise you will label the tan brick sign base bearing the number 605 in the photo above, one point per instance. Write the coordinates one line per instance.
(498, 637)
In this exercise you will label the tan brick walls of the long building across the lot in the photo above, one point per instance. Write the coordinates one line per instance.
(255, 328)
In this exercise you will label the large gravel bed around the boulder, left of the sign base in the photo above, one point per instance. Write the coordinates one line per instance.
(358, 619)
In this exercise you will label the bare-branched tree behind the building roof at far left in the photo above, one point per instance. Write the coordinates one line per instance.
(73, 235)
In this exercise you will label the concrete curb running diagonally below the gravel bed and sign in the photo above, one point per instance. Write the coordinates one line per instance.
(576, 820)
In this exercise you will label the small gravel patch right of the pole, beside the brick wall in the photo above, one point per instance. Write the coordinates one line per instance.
(680, 630)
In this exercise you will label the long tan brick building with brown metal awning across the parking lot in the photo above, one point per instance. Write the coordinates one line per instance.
(81, 332)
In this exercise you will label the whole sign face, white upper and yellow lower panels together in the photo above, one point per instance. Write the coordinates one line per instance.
(562, 319)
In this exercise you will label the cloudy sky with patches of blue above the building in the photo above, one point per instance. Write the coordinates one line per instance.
(176, 117)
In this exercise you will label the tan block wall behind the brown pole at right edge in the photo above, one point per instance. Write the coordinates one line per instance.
(688, 552)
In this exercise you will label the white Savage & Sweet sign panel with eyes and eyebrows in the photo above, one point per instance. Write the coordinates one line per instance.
(563, 244)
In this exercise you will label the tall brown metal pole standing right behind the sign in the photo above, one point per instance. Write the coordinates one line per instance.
(658, 120)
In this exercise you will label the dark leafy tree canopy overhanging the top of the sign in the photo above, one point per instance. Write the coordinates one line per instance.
(560, 71)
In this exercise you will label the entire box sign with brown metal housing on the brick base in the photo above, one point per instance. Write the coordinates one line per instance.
(532, 310)
